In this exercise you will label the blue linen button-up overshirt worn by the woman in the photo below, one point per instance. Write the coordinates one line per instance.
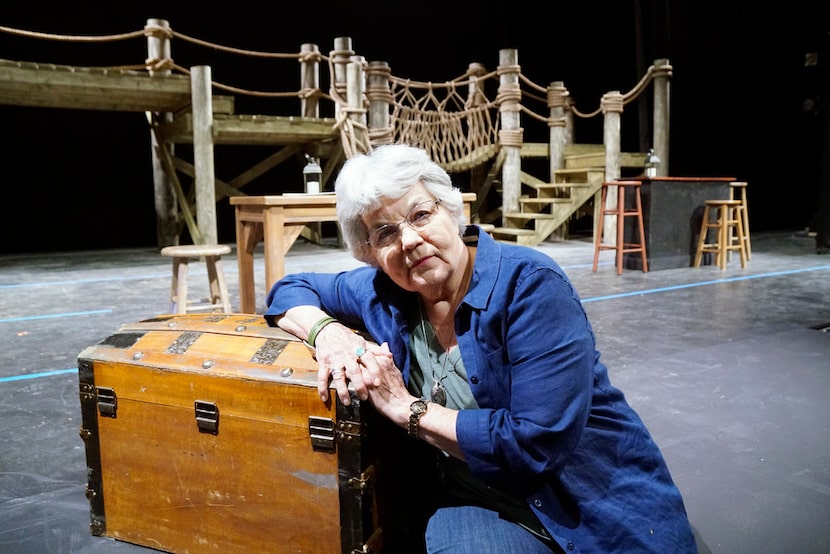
(550, 427)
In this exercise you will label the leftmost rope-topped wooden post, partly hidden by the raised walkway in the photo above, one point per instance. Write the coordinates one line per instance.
(167, 208)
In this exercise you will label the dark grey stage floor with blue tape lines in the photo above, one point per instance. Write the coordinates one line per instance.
(727, 368)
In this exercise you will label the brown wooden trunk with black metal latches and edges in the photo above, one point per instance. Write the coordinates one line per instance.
(205, 433)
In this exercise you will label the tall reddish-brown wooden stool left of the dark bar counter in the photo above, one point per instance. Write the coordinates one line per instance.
(620, 213)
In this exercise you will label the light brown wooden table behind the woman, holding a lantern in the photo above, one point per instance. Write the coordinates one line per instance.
(278, 220)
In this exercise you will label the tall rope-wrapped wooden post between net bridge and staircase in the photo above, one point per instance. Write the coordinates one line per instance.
(510, 134)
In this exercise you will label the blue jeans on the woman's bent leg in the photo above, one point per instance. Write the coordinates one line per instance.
(474, 530)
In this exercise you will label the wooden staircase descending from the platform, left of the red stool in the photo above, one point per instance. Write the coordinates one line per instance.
(547, 208)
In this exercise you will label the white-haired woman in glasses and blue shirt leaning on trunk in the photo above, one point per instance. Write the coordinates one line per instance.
(483, 351)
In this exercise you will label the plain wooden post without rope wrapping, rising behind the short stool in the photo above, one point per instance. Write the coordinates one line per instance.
(200, 90)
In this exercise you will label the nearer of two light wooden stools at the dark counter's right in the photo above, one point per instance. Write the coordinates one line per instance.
(727, 219)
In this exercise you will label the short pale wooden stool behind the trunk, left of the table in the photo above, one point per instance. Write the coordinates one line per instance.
(212, 254)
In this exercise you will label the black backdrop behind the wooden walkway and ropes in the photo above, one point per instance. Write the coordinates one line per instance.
(744, 103)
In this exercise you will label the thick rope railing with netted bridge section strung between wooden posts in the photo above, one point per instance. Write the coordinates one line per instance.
(455, 121)
